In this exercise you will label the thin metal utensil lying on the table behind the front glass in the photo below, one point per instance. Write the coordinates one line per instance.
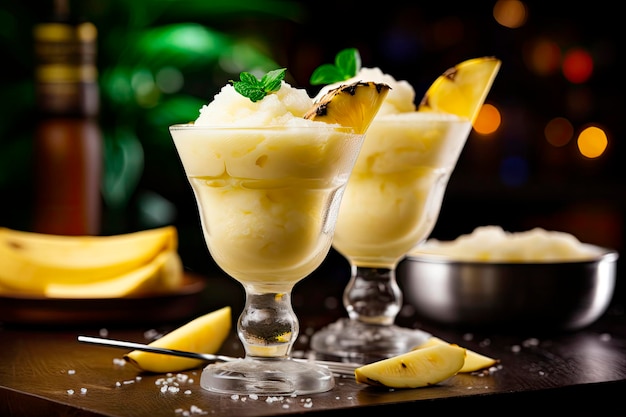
(339, 368)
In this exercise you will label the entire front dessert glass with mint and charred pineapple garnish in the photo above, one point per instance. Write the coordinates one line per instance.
(268, 167)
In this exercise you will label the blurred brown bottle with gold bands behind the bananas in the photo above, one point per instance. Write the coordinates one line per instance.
(68, 140)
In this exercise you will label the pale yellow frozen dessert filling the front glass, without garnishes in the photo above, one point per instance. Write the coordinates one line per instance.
(263, 176)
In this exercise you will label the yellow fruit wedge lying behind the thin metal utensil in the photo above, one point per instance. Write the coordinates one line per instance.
(205, 334)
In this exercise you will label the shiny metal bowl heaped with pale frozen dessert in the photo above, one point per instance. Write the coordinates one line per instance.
(530, 281)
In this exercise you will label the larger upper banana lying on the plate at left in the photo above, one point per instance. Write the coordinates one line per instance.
(29, 262)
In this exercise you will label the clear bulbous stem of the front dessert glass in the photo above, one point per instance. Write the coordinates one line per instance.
(268, 326)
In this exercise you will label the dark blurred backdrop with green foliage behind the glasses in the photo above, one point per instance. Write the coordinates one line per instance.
(160, 60)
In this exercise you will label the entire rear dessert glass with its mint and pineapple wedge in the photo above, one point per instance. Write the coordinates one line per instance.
(394, 195)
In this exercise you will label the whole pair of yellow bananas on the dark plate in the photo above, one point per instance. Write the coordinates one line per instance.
(89, 266)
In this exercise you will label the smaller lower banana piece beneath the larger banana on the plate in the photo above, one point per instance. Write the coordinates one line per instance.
(165, 272)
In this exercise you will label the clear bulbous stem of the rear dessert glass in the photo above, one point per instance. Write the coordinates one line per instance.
(373, 296)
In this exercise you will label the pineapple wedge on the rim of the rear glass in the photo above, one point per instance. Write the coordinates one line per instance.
(462, 89)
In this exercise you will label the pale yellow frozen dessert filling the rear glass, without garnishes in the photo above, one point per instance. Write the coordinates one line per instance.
(393, 198)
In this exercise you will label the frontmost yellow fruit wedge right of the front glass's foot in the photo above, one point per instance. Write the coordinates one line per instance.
(417, 368)
